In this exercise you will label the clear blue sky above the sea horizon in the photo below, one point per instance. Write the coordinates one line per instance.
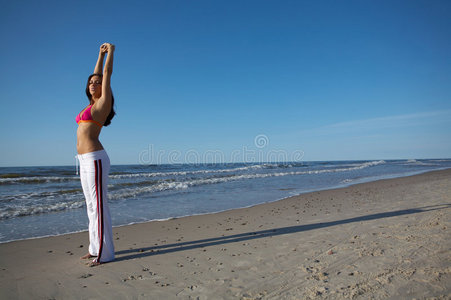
(335, 80)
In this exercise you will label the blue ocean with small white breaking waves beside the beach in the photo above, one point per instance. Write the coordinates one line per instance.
(45, 201)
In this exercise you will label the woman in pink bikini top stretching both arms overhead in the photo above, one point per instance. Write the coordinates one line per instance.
(94, 161)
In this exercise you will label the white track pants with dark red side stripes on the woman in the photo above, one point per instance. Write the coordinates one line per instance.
(94, 170)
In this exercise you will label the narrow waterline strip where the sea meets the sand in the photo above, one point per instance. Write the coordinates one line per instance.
(339, 186)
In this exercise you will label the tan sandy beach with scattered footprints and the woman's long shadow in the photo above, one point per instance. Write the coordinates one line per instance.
(388, 239)
